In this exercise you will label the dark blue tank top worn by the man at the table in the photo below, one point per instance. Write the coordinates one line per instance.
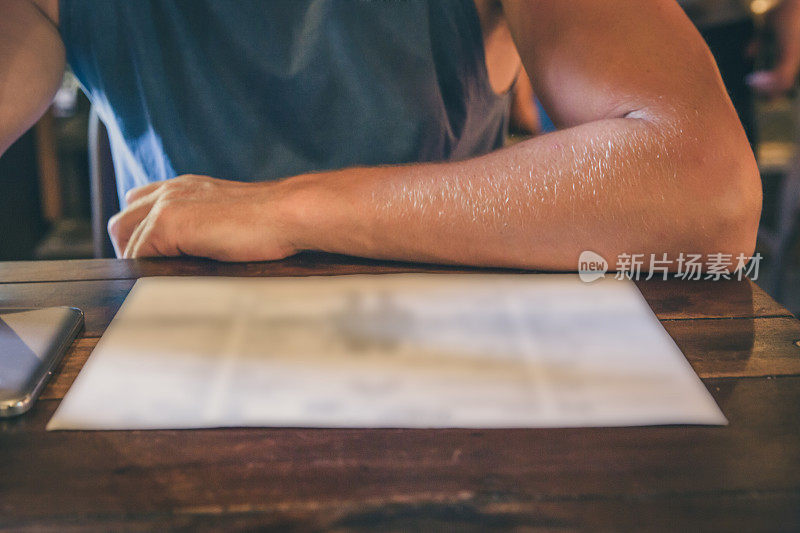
(259, 90)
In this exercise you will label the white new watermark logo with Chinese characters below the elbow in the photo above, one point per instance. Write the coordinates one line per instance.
(592, 266)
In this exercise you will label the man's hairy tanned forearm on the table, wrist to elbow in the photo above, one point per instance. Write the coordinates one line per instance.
(619, 185)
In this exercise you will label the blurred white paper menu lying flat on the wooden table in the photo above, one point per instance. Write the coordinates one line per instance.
(411, 350)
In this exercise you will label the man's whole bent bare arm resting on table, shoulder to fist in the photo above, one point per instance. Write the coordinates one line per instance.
(652, 158)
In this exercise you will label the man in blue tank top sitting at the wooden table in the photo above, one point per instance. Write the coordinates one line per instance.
(650, 156)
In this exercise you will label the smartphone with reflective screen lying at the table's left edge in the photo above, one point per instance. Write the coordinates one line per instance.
(32, 342)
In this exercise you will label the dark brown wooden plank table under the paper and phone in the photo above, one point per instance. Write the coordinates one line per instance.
(743, 477)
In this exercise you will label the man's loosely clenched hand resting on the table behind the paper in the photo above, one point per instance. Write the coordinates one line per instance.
(202, 216)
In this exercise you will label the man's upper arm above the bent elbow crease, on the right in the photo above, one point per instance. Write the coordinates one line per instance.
(591, 60)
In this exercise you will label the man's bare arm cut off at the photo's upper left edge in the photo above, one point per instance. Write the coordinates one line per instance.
(31, 64)
